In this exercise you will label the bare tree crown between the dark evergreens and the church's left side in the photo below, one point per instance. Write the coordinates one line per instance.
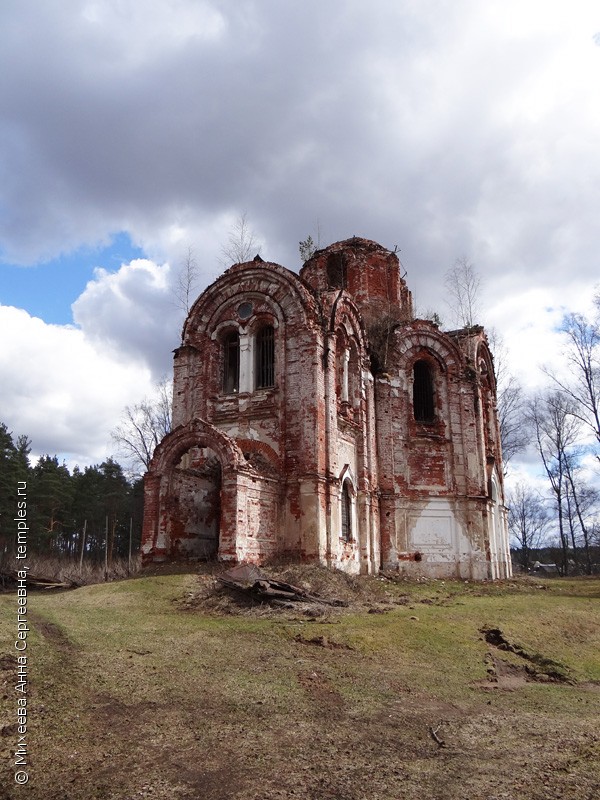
(143, 426)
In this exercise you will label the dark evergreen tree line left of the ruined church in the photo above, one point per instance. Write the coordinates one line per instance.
(90, 513)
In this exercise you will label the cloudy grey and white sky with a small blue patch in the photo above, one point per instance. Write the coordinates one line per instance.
(131, 131)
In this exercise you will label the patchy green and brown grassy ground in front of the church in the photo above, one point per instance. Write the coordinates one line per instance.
(161, 687)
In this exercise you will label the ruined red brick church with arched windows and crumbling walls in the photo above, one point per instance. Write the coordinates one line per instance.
(315, 418)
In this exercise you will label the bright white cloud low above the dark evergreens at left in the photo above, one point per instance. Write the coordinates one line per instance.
(60, 388)
